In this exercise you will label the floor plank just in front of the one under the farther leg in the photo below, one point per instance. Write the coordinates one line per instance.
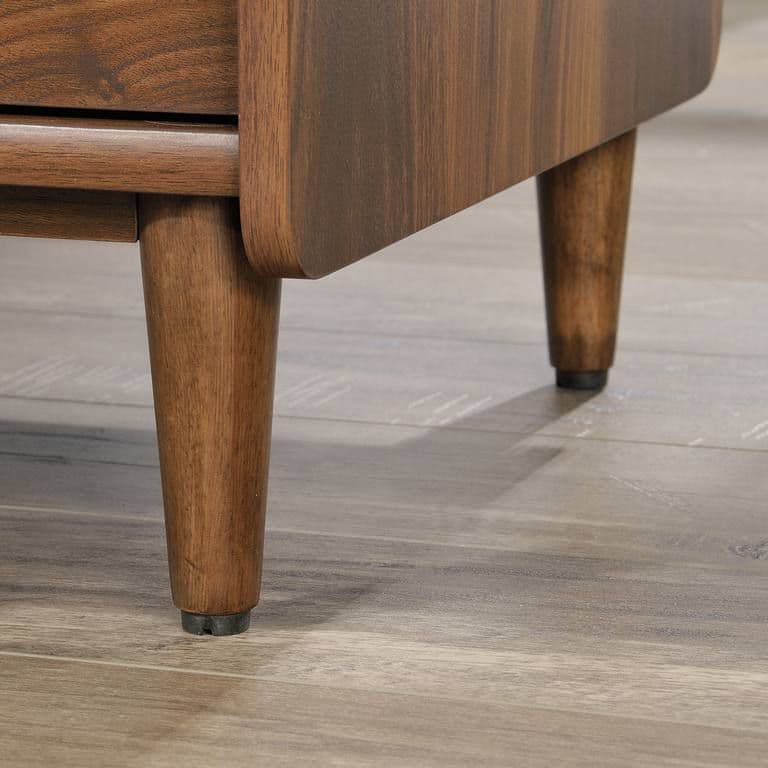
(642, 502)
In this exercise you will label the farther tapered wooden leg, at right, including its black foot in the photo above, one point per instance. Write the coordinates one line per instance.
(584, 210)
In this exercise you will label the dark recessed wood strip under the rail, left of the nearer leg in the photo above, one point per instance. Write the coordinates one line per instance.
(68, 213)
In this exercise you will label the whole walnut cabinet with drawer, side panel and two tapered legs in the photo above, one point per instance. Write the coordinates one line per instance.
(244, 143)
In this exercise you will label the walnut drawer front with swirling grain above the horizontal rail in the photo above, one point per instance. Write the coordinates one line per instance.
(151, 55)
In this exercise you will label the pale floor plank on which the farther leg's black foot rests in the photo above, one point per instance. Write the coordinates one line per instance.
(682, 399)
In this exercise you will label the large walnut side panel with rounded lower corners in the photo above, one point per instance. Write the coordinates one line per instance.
(363, 122)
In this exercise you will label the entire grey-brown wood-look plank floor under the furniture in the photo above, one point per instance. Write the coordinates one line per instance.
(464, 566)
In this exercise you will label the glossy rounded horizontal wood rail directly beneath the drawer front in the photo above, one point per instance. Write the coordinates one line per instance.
(121, 155)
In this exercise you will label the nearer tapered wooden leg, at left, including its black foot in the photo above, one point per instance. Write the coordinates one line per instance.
(212, 327)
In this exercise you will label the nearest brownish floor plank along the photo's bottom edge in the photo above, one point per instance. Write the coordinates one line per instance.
(146, 718)
